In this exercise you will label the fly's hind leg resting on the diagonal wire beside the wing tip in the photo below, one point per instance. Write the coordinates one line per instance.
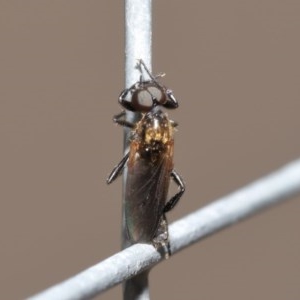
(161, 239)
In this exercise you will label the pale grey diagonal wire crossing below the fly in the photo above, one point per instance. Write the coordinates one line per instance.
(263, 193)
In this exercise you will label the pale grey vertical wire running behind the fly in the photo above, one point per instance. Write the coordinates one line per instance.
(138, 45)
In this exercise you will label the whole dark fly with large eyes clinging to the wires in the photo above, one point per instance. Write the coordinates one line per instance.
(149, 162)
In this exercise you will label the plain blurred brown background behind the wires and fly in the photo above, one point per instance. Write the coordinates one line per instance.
(235, 68)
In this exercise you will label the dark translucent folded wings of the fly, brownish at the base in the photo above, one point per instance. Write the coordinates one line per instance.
(146, 192)
